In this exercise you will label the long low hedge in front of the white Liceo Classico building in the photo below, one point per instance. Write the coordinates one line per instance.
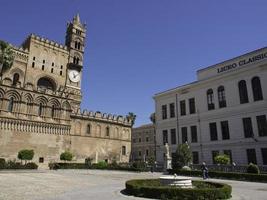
(224, 175)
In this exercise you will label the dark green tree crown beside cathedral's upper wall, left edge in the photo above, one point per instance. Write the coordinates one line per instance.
(6, 56)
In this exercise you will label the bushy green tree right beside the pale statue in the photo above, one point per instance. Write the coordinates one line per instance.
(182, 157)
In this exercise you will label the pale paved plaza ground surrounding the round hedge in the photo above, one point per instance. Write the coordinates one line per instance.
(92, 184)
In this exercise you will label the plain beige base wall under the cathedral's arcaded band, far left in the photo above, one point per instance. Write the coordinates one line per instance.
(48, 146)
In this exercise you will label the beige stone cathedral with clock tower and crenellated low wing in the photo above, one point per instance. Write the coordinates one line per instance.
(40, 97)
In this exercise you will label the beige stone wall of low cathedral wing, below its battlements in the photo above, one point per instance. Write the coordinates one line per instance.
(104, 141)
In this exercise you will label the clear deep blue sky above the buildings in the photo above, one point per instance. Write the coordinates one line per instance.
(136, 48)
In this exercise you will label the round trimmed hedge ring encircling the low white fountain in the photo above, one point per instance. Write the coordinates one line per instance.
(151, 188)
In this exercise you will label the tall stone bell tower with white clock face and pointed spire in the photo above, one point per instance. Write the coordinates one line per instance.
(75, 41)
